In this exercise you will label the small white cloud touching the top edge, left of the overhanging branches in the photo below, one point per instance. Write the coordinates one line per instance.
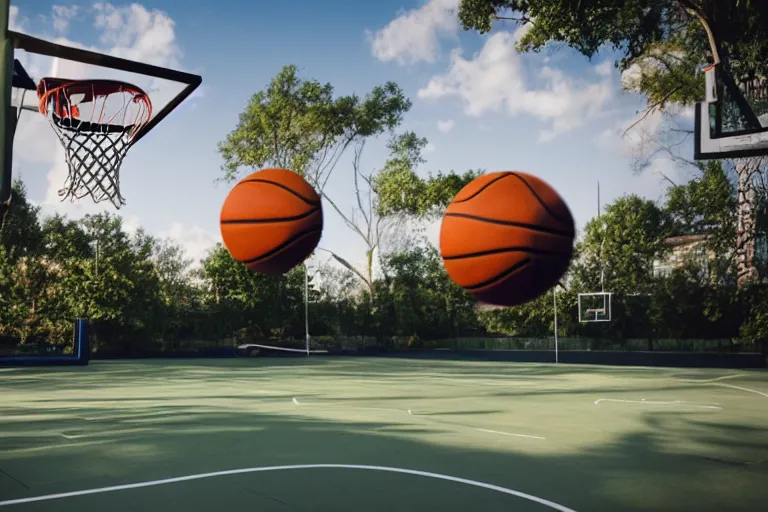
(414, 36)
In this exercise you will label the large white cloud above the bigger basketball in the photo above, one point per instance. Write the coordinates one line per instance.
(494, 80)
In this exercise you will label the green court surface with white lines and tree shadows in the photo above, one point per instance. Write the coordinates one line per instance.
(374, 434)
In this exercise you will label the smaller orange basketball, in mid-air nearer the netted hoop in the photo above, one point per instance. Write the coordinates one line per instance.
(271, 221)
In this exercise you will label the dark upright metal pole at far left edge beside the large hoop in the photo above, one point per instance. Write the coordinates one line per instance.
(7, 111)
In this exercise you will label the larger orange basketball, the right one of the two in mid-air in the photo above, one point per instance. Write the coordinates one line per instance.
(506, 238)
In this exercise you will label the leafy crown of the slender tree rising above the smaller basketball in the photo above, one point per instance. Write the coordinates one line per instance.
(298, 124)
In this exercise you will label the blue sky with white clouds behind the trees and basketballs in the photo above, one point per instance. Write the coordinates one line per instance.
(480, 104)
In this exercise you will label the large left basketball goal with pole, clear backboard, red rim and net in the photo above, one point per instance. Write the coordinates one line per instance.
(90, 143)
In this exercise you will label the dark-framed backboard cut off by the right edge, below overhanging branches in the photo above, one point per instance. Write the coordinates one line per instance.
(732, 122)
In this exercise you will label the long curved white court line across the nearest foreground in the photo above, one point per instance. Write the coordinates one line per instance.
(201, 476)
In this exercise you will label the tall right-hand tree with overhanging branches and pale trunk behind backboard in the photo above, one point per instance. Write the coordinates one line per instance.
(665, 42)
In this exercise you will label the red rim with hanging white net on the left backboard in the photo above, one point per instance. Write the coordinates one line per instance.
(96, 121)
